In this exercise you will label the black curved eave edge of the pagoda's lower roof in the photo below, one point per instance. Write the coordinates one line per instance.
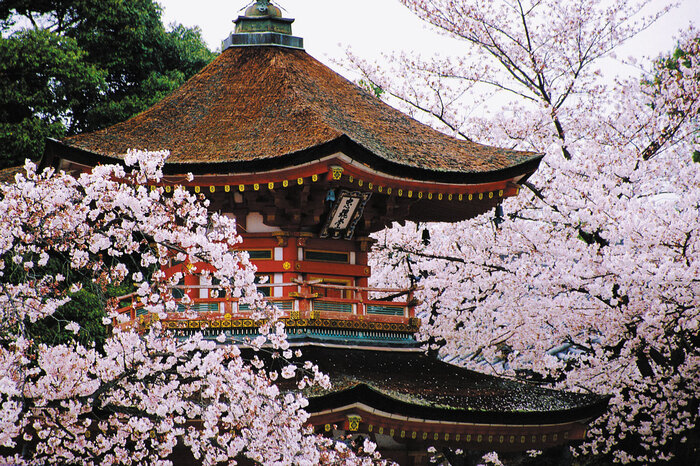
(381, 402)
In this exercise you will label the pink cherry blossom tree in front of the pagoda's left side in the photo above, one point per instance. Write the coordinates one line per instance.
(134, 398)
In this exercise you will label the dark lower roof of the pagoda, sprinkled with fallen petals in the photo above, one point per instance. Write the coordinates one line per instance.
(418, 385)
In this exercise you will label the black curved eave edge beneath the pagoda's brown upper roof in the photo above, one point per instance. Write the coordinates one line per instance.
(56, 150)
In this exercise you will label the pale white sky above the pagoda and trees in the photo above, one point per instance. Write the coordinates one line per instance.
(374, 26)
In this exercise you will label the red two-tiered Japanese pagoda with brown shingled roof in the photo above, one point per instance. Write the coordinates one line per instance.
(310, 165)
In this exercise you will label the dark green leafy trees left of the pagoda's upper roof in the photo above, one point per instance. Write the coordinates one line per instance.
(82, 65)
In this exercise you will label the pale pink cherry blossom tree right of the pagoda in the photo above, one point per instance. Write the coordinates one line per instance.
(590, 279)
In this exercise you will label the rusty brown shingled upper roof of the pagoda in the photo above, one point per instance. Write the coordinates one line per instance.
(255, 104)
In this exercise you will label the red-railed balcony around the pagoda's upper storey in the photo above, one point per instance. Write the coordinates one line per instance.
(305, 311)
